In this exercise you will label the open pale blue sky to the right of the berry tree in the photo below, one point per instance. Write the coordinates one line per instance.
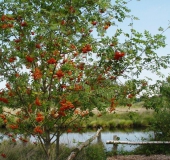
(152, 14)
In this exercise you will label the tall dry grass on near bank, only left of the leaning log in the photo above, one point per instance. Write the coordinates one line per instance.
(29, 151)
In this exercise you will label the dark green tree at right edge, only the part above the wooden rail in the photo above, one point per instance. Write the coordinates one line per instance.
(161, 104)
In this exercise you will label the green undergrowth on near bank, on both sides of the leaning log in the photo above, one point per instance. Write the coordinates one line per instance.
(29, 151)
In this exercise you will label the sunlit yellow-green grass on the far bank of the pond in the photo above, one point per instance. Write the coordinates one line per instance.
(122, 118)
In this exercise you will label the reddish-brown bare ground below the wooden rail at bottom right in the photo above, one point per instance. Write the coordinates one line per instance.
(140, 157)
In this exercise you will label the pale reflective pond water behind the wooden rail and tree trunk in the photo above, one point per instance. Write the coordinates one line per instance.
(74, 139)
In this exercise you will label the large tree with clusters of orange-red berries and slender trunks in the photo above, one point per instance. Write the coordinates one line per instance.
(58, 64)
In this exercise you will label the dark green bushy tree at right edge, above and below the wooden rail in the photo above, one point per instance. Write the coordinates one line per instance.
(159, 102)
